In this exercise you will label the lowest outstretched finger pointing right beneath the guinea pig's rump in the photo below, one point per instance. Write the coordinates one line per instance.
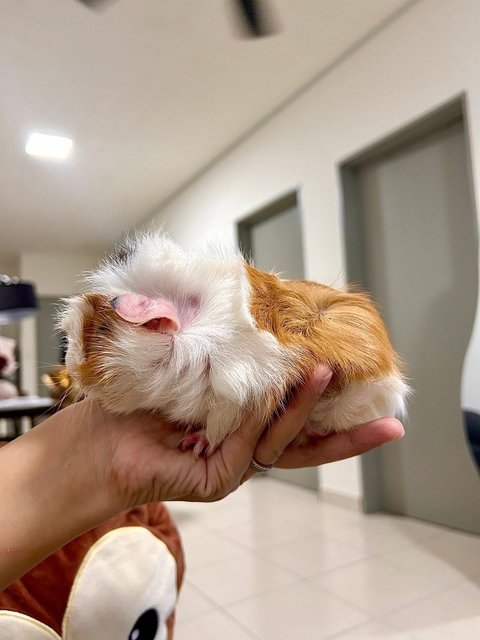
(339, 446)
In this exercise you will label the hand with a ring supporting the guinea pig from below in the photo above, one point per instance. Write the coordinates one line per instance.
(140, 460)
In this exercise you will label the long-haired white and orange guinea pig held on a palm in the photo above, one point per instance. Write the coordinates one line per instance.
(204, 338)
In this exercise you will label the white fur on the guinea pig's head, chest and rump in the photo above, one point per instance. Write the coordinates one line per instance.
(220, 364)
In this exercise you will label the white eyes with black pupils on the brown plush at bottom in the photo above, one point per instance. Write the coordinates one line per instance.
(125, 589)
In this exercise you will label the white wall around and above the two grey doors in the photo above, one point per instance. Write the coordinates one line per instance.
(426, 57)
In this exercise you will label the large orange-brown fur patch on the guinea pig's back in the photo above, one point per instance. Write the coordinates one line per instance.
(341, 330)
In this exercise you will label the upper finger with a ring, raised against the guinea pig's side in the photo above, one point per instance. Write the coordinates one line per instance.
(287, 427)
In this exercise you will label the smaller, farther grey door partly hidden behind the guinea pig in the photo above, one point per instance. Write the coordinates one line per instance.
(275, 244)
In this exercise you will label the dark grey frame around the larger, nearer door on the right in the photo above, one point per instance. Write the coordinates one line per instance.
(416, 132)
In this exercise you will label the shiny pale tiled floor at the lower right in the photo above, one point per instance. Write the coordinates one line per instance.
(271, 562)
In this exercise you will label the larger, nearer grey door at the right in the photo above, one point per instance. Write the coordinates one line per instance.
(420, 261)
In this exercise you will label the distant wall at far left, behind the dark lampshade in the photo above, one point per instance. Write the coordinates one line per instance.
(55, 274)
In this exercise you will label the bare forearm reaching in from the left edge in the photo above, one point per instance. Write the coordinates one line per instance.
(48, 496)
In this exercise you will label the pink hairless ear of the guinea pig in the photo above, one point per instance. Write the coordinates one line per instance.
(155, 314)
